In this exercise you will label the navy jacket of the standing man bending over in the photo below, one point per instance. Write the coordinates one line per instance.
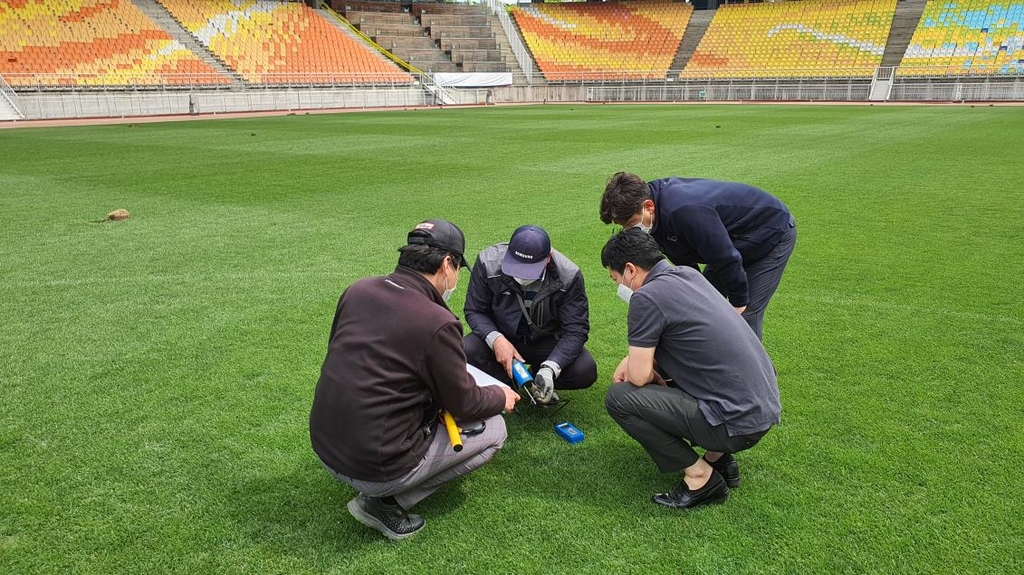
(724, 226)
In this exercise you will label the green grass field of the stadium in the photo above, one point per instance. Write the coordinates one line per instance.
(157, 374)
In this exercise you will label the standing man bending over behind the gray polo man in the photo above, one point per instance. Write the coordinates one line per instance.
(743, 235)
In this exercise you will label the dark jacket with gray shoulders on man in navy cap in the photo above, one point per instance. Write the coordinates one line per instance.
(561, 308)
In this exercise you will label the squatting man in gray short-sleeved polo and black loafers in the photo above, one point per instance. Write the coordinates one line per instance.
(697, 375)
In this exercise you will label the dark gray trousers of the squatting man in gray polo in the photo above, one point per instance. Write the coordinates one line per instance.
(668, 422)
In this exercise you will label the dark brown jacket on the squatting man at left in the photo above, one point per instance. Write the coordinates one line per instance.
(395, 358)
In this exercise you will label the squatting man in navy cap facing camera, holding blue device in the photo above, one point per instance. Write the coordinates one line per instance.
(528, 302)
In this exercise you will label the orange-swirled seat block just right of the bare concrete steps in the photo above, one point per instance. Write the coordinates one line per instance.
(617, 40)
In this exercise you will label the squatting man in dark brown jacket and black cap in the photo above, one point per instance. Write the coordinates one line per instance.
(395, 359)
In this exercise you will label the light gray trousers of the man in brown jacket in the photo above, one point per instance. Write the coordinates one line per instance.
(441, 465)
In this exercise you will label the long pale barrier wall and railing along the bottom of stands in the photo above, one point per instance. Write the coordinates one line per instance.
(286, 94)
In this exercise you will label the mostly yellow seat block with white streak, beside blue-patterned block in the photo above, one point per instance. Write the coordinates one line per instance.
(806, 38)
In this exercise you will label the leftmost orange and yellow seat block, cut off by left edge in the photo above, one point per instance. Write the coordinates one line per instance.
(70, 43)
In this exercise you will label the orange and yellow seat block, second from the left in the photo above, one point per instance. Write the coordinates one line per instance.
(282, 43)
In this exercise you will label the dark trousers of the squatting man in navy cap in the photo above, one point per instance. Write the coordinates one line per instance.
(579, 375)
